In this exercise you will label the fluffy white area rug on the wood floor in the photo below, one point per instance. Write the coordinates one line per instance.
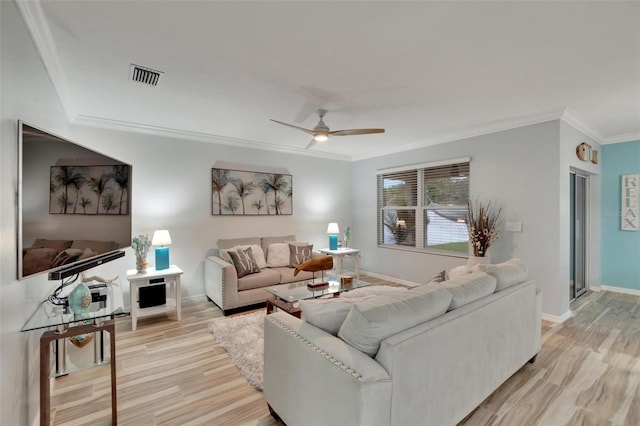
(243, 338)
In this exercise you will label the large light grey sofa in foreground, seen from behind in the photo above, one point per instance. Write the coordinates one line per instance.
(426, 356)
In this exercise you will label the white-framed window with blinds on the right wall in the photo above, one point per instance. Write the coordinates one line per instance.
(424, 206)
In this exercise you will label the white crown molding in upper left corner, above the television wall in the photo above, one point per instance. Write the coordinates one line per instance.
(41, 34)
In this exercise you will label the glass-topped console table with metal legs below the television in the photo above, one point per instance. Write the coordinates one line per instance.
(63, 324)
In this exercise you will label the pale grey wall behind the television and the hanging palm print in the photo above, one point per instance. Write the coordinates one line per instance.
(171, 189)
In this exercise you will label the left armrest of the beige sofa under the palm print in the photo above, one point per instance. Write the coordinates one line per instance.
(220, 282)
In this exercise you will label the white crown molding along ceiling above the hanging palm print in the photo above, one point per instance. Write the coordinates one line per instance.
(90, 121)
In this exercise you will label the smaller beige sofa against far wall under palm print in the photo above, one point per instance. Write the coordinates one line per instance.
(226, 289)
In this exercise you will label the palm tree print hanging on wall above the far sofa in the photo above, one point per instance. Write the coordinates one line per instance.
(242, 193)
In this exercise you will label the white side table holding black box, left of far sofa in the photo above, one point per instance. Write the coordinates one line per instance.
(170, 277)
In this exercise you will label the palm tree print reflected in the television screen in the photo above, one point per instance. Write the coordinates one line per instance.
(89, 190)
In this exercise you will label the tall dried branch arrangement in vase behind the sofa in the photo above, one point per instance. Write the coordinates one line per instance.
(482, 224)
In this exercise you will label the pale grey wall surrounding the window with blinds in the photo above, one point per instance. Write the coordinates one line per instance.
(517, 169)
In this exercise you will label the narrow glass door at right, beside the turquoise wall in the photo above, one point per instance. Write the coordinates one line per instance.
(578, 233)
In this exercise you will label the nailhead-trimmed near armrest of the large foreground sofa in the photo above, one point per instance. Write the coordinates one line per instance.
(310, 374)
